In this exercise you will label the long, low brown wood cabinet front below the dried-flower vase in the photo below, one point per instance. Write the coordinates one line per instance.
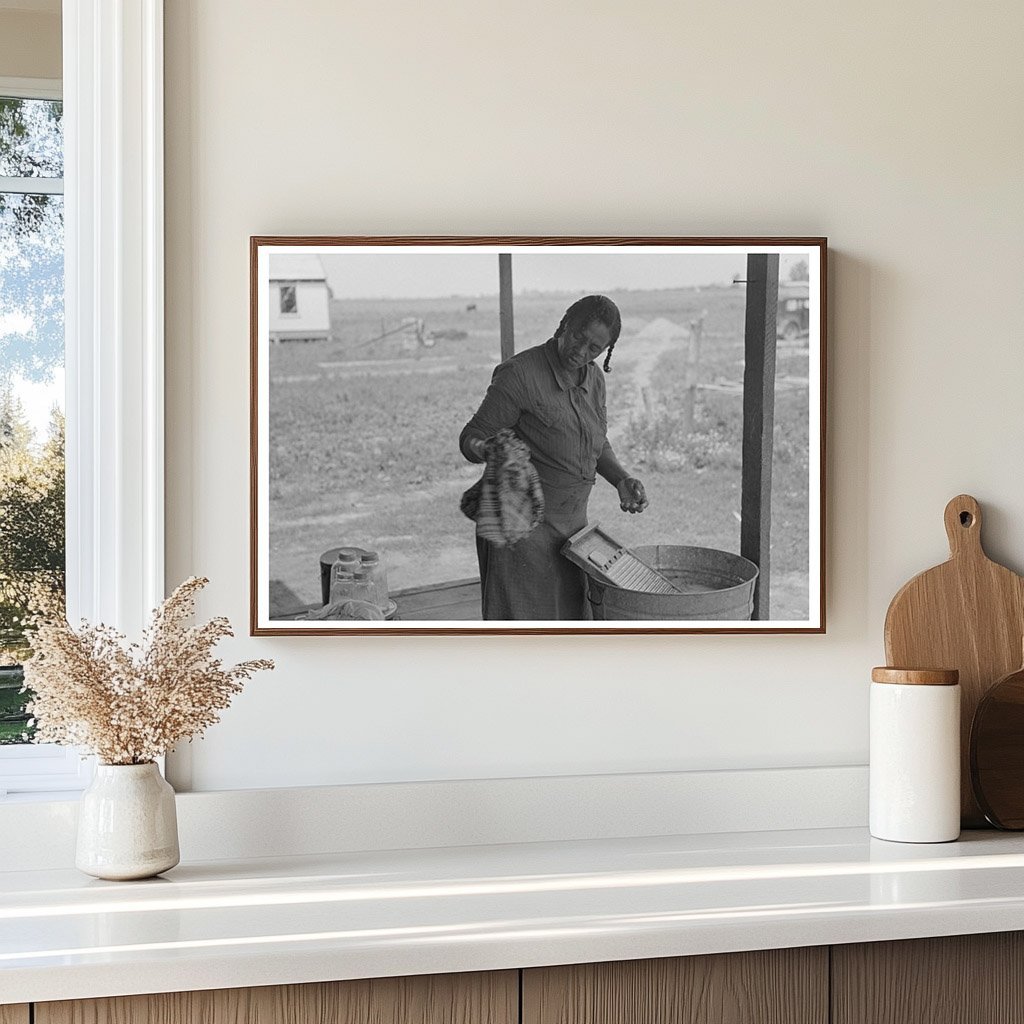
(452, 999)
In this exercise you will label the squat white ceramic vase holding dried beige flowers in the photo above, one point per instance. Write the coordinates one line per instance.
(127, 826)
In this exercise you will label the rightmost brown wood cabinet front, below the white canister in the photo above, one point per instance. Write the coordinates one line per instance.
(963, 979)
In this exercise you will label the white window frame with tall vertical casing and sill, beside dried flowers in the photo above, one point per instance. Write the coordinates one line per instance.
(114, 325)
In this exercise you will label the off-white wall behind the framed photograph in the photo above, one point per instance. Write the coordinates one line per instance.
(894, 130)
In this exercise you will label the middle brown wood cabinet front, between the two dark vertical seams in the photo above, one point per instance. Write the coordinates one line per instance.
(774, 987)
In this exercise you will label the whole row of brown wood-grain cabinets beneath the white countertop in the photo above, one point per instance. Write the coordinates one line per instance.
(973, 979)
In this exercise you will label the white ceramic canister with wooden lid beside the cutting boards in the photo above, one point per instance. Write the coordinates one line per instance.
(916, 755)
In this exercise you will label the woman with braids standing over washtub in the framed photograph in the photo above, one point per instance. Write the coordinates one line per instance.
(553, 398)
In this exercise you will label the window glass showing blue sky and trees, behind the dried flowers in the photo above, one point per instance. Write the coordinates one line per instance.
(32, 430)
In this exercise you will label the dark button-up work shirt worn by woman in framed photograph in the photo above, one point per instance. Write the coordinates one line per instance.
(564, 423)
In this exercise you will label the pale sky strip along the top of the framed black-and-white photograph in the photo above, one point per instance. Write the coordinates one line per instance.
(439, 275)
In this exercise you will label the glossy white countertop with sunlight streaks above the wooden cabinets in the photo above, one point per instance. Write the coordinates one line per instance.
(239, 923)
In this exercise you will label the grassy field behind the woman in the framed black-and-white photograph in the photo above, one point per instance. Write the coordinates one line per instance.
(365, 437)
